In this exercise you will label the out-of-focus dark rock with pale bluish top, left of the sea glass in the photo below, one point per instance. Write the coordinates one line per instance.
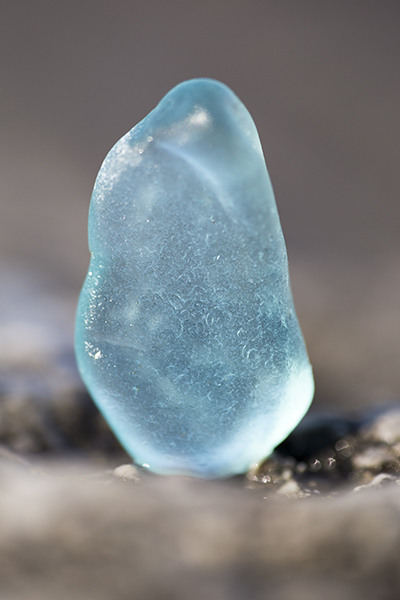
(44, 406)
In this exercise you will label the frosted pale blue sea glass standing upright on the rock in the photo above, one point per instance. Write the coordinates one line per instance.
(186, 333)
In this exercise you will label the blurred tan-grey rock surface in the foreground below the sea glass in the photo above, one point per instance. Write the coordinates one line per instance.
(180, 538)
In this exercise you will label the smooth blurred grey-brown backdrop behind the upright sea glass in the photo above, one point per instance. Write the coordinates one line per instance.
(321, 80)
